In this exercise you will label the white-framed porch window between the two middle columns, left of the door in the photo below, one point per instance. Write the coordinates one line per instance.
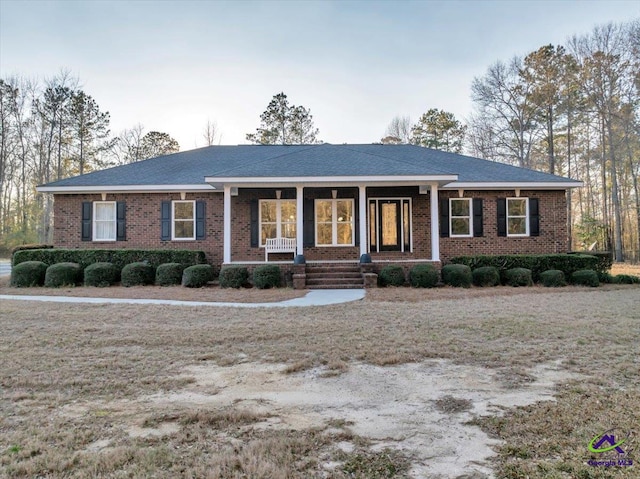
(334, 222)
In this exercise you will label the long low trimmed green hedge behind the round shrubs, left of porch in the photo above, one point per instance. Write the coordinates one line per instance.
(119, 257)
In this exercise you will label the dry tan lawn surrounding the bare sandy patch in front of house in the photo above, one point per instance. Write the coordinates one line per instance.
(57, 356)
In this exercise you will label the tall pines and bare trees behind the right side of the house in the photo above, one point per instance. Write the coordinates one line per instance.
(570, 110)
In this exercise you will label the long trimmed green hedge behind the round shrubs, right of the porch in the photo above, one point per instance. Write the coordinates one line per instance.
(567, 263)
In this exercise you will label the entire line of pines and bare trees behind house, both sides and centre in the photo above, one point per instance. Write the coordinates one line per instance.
(570, 110)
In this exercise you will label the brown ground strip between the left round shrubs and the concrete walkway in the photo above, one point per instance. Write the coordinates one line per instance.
(178, 293)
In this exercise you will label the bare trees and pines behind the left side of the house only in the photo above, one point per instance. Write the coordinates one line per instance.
(51, 130)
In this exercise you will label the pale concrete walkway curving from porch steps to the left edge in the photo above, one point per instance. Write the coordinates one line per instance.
(320, 297)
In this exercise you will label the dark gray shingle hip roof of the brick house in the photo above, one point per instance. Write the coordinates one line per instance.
(325, 160)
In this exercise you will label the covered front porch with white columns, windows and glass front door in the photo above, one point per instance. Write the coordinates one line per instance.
(332, 223)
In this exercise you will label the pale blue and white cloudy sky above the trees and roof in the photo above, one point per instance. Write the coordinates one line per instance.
(171, 66)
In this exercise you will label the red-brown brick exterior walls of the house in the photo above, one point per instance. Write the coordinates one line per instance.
(143, 224)
